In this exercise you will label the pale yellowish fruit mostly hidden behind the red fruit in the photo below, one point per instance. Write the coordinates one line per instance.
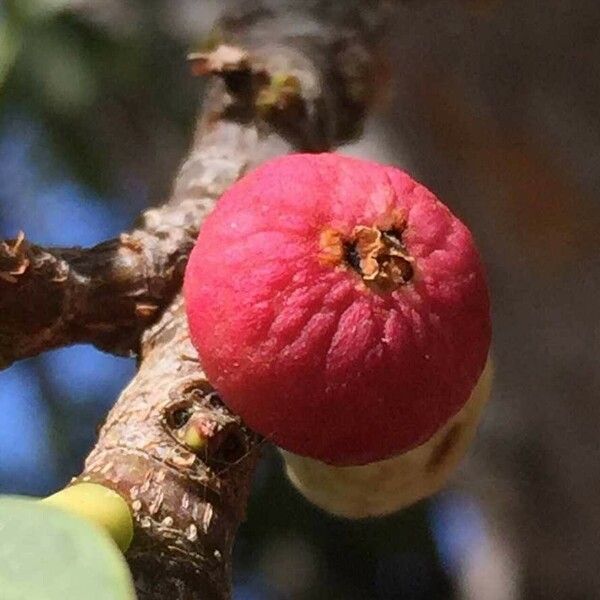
(383, 487)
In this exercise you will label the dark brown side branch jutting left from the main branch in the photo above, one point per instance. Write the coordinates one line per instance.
(106, 295)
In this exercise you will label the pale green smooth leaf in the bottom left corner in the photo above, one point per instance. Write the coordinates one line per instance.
(49, 554)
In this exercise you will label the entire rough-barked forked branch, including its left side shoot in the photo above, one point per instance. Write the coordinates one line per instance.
(302, 80)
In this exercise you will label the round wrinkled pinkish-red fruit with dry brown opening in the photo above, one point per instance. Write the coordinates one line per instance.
(338, 307)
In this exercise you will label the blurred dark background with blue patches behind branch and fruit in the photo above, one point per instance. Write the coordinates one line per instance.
(492, 104)
